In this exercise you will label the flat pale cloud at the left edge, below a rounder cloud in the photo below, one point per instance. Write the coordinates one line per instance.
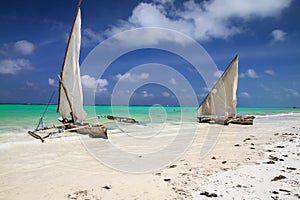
(13, 66)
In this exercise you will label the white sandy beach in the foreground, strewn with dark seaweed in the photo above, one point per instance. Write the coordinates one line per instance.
(240, 162)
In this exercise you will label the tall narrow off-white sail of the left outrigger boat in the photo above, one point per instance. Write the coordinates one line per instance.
(70, 89)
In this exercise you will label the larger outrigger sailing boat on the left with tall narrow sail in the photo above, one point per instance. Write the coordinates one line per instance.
(70, 102)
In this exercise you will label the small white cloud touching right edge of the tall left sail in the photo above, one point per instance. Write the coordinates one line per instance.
(89, 82)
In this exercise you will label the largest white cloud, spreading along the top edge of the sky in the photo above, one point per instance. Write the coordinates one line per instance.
(202, 20)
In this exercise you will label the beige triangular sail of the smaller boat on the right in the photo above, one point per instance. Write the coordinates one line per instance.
(221, 101)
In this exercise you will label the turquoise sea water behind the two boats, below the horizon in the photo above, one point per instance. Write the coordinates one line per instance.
(17, 119)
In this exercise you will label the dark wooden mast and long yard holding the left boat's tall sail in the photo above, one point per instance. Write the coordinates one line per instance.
(66, 52)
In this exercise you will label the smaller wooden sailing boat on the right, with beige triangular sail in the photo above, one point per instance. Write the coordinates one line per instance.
(219, 106)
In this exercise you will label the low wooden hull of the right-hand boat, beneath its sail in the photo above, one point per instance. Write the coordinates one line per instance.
(243, 120)
